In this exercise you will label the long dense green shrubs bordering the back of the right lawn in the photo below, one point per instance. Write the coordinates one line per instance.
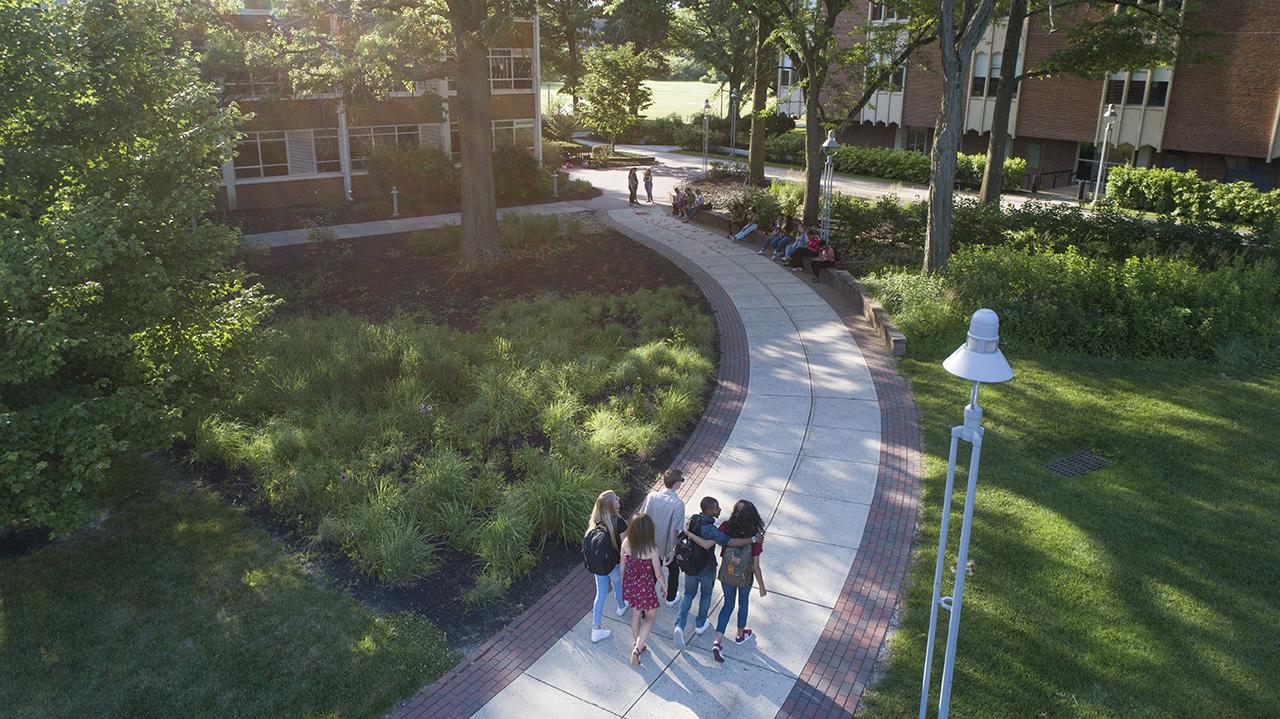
(1137, 308)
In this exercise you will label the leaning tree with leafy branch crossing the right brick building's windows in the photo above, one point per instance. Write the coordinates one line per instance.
(1101, 38)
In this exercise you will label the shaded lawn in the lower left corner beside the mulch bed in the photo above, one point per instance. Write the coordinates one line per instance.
(179, 607)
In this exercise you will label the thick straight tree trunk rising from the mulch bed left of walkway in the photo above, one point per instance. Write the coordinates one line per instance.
(479, 205)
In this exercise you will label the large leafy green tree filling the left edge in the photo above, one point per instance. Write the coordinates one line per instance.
(120, 309)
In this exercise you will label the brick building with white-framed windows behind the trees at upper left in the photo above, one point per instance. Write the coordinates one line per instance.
(316, 149)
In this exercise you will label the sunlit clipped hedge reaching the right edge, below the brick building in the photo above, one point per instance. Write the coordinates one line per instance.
(1185, 195)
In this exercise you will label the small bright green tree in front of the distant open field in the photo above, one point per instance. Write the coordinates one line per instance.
(614, 89)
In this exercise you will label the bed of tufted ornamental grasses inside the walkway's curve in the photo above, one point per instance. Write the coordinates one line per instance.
(409, 442)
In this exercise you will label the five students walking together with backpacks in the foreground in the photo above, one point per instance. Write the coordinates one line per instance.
(641, 560)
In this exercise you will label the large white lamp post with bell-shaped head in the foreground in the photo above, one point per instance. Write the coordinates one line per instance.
(979, 360)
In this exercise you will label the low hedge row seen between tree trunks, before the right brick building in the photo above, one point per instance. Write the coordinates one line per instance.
(903, 166)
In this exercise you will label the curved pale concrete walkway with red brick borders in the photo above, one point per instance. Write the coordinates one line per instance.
(824, 441)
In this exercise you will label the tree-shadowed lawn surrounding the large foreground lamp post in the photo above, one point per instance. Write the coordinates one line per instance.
(1146, 589)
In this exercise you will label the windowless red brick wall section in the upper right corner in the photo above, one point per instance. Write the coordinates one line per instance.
(1228, 107)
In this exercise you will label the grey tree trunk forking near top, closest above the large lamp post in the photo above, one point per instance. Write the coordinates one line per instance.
(959, 33)
